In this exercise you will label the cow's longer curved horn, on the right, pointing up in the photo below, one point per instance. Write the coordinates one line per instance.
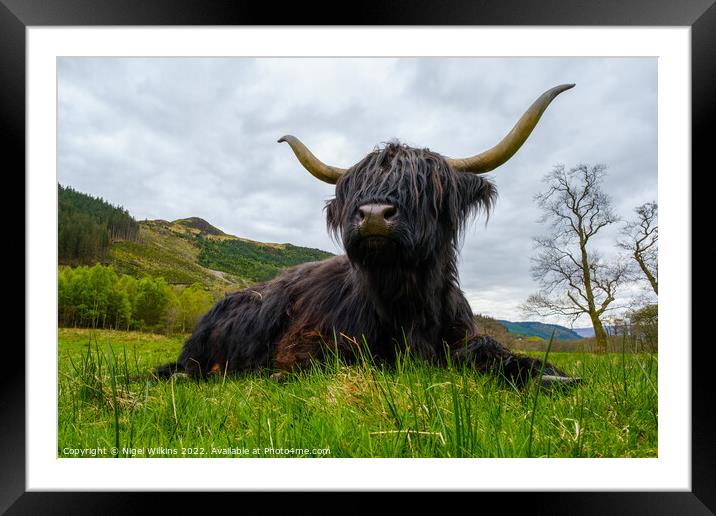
(500, 153)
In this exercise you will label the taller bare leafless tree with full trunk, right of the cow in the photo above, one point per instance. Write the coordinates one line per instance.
(574, 279)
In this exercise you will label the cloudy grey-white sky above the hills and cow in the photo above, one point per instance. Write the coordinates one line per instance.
(175, 138)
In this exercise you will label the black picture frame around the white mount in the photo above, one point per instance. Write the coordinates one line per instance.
(17, 15)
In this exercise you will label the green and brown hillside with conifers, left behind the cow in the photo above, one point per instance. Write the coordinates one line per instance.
(183, 252)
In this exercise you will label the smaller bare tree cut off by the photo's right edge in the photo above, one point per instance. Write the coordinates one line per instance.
(641, 239)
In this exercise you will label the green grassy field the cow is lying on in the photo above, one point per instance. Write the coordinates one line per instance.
(107, 399)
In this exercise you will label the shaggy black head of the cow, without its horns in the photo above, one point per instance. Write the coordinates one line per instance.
(400, 206)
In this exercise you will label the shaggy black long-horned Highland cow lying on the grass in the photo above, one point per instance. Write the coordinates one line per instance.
(399, 213)
